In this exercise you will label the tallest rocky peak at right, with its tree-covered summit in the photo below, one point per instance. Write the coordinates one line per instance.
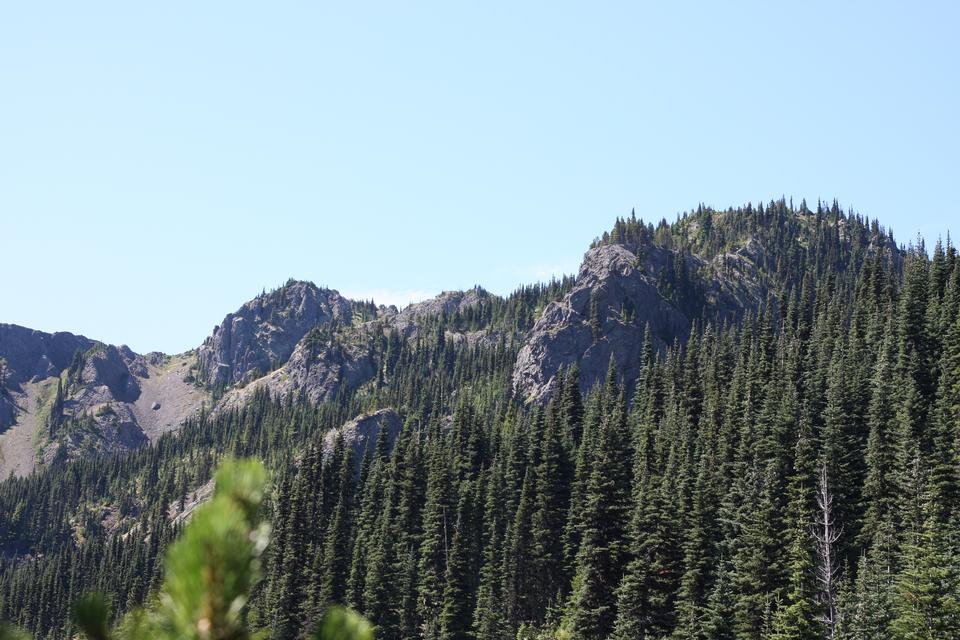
(709, 266)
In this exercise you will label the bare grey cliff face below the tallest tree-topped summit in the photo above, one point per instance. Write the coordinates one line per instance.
(620, 290)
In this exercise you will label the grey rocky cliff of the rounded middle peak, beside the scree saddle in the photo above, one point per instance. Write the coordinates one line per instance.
(262, 334)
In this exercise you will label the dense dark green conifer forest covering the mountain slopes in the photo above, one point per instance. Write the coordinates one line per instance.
(789, 475)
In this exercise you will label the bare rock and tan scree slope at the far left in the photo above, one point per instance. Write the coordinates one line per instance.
(101, 386)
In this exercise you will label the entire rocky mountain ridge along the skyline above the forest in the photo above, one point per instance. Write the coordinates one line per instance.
(302, 339)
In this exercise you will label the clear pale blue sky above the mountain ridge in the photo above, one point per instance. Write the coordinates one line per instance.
(161, 165)
